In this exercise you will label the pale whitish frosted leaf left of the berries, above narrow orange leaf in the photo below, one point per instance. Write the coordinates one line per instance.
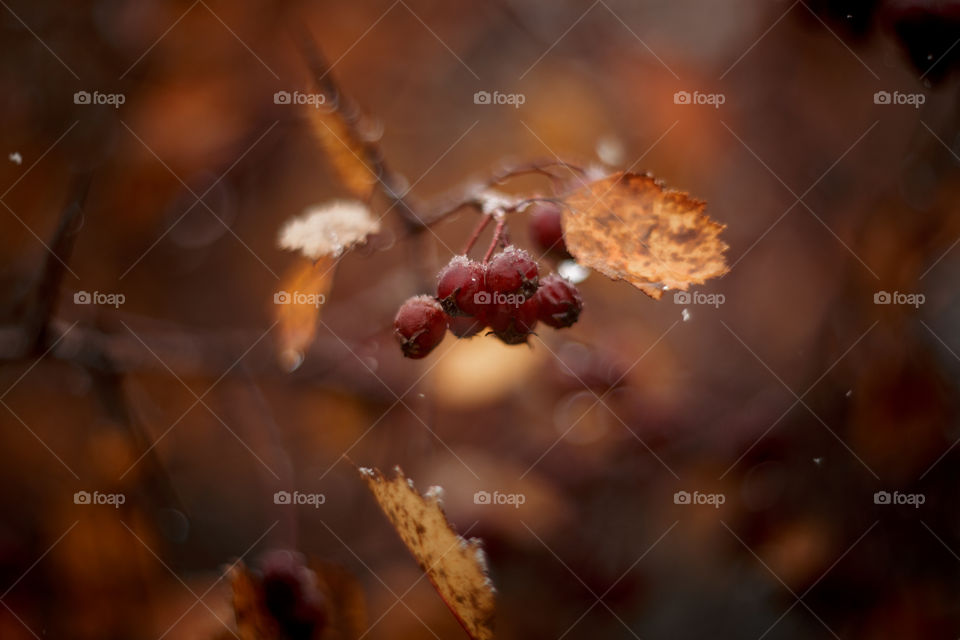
(328, 229)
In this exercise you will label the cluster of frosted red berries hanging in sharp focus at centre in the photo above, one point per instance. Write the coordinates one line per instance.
(505, 294)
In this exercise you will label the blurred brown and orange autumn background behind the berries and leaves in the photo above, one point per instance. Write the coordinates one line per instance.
(832, 157)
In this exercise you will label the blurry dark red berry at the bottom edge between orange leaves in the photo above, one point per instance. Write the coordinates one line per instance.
(292, 596)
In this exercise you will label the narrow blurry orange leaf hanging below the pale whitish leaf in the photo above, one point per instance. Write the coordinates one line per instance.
(297, 307)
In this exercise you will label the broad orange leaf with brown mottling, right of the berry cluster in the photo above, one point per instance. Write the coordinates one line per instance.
(628, 227)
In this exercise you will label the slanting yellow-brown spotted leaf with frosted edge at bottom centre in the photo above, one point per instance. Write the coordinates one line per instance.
(456, 567)
